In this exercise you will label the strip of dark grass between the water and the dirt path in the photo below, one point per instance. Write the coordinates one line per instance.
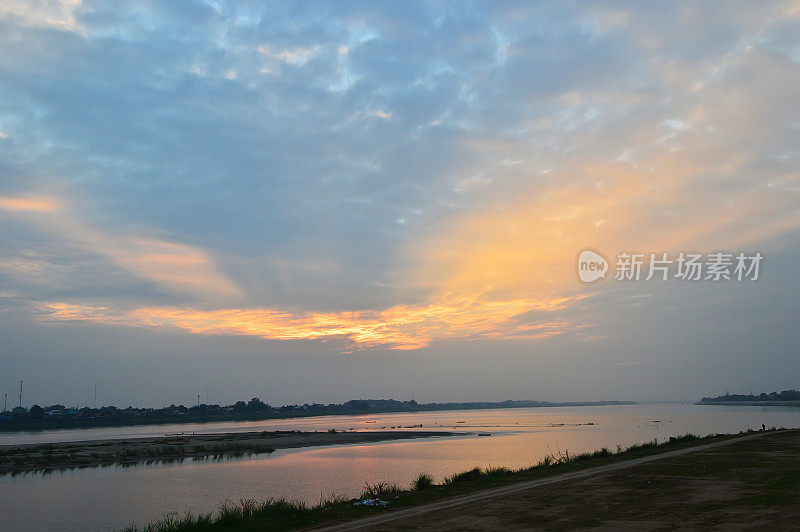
(281, 514)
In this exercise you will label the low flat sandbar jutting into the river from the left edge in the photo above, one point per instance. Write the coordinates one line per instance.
(17, 459)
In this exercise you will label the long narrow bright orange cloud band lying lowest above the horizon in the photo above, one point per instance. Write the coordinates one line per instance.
(400, 327)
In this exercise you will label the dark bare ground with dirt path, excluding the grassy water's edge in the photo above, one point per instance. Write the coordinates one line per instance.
(750, 483)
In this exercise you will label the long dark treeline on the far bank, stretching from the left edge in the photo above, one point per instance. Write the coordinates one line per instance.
(60, 416)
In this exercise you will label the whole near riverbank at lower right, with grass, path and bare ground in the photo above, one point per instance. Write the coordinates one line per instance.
(753, 476)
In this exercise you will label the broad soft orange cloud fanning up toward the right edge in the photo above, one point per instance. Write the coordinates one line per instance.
(527, 247)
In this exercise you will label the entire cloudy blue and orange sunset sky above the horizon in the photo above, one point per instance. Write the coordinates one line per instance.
(320, 201)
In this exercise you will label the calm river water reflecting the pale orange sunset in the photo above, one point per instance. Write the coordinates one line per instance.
(111, 498)
